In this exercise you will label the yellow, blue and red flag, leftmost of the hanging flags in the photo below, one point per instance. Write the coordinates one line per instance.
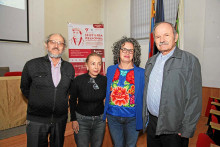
(152, 22)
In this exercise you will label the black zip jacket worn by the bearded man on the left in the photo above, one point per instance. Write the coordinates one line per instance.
(46, 103)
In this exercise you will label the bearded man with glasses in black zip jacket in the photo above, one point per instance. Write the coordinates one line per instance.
(45, 83)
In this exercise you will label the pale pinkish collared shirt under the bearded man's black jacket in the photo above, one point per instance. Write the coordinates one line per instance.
(55, 70)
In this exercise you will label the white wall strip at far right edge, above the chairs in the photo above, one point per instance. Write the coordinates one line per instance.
(211, 54)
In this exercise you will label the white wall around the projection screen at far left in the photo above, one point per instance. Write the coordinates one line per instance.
(15, 55)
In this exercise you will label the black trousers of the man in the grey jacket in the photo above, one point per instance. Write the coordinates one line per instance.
(165, 140)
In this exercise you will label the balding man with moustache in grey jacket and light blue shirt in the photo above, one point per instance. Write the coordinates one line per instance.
(172, 98)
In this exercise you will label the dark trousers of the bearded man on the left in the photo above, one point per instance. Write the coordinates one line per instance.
(38, 133)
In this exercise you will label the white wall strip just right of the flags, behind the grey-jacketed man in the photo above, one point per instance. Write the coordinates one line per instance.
(194, 27)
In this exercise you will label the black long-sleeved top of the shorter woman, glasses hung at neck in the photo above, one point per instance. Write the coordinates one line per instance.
(90, 100)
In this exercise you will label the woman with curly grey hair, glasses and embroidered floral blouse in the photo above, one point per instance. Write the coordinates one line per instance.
(125, 84)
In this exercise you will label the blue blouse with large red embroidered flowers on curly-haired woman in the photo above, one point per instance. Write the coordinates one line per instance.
(122, 98)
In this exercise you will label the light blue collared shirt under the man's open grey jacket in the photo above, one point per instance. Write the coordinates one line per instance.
(155, 84)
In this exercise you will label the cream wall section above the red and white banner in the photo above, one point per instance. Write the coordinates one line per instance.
(59, 12)
